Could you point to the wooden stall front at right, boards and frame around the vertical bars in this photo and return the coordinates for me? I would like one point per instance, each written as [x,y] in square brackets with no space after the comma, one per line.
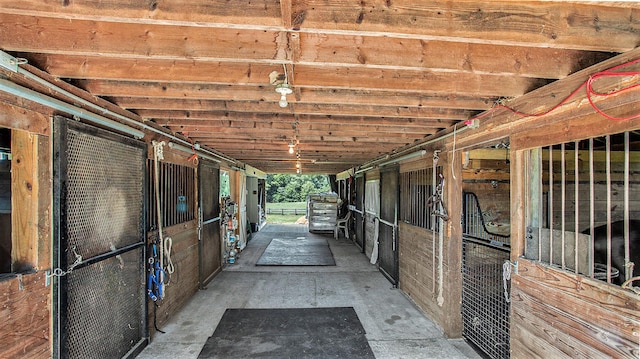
[558,313]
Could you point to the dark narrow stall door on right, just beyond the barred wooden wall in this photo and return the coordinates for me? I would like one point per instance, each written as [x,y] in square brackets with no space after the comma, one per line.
[387,238]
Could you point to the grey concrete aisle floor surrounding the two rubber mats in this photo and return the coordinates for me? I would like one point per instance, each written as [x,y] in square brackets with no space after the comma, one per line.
[395,327]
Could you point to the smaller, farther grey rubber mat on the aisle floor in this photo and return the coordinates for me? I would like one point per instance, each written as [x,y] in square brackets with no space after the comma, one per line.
[297,252]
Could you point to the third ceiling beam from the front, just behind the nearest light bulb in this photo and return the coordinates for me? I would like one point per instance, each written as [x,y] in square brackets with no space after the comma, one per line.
[92,67]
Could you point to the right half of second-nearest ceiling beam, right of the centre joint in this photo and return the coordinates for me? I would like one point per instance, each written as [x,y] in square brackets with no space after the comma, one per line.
[392,52]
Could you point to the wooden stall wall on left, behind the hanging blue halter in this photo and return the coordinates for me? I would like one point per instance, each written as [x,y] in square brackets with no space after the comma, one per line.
[183,283]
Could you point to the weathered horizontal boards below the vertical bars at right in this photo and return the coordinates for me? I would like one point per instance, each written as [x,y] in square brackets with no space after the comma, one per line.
[557,314]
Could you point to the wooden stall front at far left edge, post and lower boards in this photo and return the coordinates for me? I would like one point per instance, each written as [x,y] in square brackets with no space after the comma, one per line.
[25,329]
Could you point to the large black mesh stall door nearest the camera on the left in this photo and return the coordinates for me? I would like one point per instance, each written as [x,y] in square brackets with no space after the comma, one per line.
[100,301]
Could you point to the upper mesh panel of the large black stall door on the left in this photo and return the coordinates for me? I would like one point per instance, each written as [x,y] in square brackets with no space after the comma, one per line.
[104,194]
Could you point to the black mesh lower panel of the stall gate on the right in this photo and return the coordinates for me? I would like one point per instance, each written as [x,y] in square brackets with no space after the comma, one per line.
[485,310]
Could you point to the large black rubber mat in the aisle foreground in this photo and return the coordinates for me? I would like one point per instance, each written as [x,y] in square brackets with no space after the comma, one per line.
[288,333]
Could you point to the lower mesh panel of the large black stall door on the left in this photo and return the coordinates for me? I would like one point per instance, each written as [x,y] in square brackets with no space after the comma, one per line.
[104,313]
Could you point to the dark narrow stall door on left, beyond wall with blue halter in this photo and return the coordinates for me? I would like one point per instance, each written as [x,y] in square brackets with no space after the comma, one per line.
[209,219]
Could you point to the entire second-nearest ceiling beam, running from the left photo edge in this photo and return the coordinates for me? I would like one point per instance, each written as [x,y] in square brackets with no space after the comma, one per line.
[150,41]
